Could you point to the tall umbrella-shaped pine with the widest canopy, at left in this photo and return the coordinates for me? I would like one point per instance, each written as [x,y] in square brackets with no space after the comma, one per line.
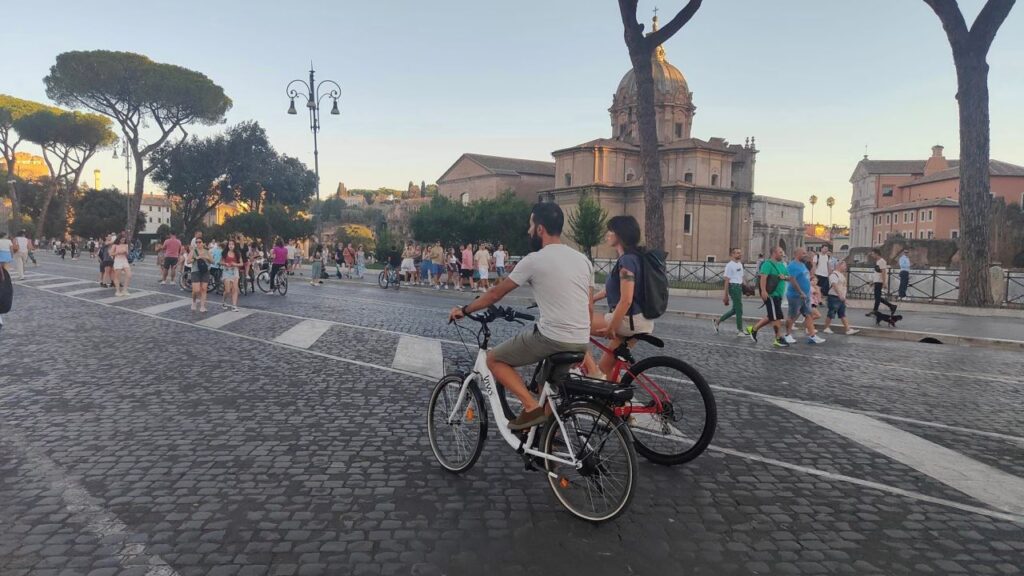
[139,95]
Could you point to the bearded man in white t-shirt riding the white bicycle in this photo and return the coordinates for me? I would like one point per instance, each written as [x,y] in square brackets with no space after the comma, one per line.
[561,278]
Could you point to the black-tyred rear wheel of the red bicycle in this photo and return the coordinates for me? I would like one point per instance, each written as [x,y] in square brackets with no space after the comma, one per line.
[685,427]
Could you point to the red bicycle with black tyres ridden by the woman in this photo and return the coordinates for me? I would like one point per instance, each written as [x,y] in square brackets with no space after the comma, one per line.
[673,415]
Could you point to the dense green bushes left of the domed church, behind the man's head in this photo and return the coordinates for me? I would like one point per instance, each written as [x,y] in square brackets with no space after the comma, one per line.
[502,221]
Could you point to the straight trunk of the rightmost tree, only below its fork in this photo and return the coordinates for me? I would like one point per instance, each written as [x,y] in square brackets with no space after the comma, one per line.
[975,202]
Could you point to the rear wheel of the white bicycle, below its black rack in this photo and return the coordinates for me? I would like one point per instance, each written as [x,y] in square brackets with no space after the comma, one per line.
[604,487]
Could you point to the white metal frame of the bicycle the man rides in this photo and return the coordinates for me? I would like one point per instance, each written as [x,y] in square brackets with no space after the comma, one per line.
[488,385]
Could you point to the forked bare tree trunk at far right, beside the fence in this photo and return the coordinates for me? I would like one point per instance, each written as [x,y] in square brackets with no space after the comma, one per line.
[970,49]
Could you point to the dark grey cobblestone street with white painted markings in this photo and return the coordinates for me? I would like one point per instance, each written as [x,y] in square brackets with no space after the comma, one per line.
[138,438]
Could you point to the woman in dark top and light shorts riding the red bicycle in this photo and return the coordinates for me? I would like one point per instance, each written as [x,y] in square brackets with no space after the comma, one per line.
[623,319]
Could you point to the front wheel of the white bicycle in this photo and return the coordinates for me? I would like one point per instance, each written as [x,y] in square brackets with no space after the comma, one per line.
[457,445]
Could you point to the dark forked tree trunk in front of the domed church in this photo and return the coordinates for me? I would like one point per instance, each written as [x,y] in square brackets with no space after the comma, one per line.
[642,49]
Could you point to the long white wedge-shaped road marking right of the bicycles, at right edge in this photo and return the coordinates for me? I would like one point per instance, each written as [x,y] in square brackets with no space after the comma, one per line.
[987,484]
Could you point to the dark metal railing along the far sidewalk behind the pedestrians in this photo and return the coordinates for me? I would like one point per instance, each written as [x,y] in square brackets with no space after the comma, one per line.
[933,285]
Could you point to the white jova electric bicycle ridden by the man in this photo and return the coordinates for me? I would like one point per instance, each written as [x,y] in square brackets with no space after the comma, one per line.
[584,449]
